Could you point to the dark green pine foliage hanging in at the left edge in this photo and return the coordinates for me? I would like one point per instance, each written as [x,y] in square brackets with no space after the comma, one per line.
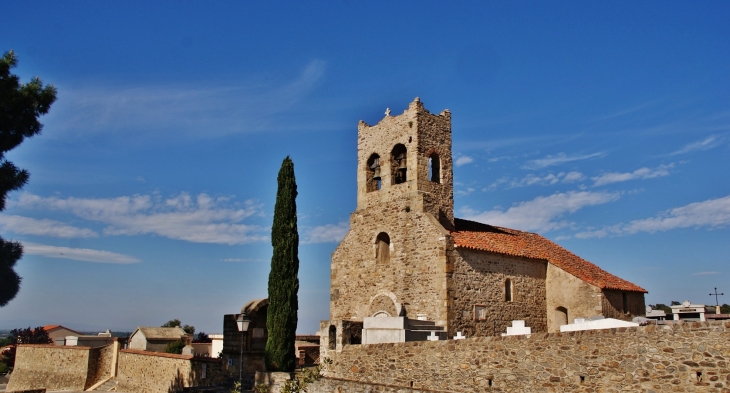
[20,106]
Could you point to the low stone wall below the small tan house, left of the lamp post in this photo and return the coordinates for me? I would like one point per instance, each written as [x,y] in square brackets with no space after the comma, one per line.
[154,372]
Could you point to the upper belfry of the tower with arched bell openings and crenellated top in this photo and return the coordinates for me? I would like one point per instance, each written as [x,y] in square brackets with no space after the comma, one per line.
[407,157]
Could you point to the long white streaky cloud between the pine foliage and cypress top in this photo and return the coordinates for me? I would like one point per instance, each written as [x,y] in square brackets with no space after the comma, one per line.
[200,219]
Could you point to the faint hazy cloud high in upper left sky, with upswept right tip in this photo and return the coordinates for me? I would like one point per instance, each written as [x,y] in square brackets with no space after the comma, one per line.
[200,110]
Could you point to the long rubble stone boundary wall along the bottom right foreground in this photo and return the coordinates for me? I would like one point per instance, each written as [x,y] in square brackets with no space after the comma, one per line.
[683,357]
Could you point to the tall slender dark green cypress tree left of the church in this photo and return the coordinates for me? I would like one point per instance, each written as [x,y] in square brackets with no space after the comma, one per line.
[281,318]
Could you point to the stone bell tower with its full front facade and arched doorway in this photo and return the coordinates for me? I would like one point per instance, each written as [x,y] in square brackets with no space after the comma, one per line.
[393,265]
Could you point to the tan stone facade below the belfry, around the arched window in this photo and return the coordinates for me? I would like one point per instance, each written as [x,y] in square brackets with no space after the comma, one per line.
[414,275]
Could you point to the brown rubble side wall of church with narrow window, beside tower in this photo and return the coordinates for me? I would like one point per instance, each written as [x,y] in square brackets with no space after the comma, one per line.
[479,280]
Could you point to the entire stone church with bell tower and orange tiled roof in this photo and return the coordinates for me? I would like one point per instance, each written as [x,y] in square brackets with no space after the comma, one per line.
[408,260]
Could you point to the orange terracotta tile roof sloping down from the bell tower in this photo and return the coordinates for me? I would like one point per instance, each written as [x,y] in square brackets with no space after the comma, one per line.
[483,237]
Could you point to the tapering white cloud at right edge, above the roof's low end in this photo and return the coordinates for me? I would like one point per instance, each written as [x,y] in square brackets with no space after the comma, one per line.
[712,213]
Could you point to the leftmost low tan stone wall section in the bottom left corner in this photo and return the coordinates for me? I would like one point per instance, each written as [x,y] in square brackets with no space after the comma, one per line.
[50,367]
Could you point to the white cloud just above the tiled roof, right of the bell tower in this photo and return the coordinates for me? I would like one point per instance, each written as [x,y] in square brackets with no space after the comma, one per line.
[542,213]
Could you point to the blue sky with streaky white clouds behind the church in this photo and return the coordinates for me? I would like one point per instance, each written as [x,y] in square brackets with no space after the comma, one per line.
[602,126]
